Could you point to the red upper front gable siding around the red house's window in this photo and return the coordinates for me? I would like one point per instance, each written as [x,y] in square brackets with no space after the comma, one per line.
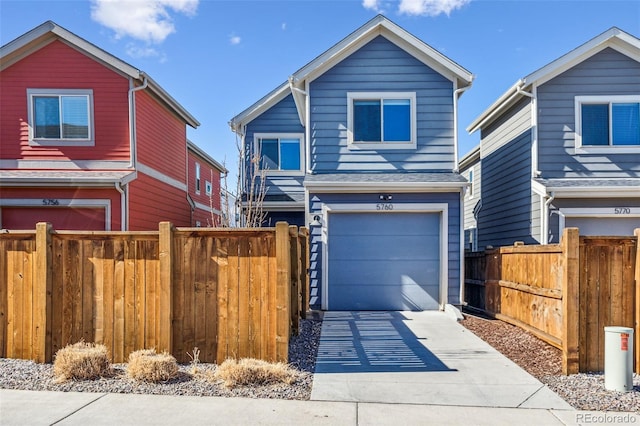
[58,66]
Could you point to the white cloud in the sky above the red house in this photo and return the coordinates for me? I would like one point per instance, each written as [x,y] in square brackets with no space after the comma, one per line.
[146,20]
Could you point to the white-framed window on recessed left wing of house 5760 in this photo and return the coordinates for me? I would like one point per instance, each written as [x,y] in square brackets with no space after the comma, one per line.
[280,153]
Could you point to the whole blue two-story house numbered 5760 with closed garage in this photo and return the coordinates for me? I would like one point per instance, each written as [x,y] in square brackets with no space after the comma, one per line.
[360,144]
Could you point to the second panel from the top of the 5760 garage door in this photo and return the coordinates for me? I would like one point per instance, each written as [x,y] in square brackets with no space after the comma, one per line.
[383,247]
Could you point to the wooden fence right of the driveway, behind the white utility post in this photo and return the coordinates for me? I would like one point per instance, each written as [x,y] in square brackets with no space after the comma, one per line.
[563,293]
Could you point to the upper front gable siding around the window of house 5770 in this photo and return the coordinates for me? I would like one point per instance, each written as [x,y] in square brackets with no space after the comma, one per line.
[606,73]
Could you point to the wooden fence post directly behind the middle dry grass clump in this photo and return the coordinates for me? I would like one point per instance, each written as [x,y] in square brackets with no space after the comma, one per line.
[165,257]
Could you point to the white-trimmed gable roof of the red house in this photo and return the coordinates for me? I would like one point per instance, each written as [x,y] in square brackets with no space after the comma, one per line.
[49,31]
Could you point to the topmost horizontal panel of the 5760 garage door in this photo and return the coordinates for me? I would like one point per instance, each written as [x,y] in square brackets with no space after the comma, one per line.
[370,224]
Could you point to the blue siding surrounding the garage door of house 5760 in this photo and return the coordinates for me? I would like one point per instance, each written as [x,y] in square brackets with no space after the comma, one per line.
[452,199]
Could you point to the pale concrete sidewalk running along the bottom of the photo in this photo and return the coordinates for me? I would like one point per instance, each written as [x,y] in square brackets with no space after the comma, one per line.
[81,409]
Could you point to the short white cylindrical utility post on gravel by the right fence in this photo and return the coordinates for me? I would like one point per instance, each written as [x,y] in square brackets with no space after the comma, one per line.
[618,358]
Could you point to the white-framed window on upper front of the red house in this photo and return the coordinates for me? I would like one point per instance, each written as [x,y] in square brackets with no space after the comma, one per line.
[60,117]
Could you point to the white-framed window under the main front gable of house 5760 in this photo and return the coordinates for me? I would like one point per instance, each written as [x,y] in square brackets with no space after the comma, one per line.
[381,120]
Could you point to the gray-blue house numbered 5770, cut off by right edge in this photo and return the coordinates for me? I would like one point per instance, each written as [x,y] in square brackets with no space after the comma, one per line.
[561,148]
